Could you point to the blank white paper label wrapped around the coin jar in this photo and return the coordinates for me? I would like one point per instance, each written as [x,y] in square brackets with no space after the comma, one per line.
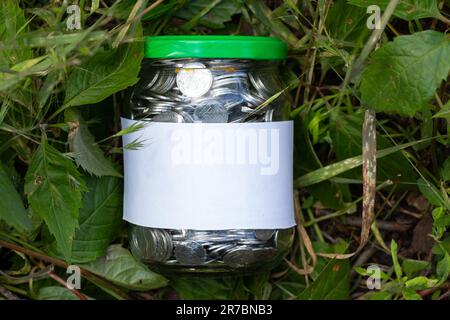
[209,176]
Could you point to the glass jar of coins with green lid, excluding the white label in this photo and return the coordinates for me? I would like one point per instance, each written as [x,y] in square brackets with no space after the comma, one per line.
[210,79]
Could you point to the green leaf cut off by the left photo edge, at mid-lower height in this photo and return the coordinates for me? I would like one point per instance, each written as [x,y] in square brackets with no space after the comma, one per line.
[12,210]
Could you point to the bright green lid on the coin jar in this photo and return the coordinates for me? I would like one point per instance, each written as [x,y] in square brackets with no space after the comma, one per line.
[226,47]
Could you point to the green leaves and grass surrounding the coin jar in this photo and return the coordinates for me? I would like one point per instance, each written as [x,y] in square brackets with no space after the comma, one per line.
[363,100]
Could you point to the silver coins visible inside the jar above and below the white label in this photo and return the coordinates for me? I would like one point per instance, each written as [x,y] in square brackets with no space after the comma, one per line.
[207,91]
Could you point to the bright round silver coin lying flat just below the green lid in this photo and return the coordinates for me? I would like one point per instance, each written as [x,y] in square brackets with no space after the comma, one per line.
[194,79]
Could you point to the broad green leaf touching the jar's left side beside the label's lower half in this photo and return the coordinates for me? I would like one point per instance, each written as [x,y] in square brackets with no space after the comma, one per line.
[100,219]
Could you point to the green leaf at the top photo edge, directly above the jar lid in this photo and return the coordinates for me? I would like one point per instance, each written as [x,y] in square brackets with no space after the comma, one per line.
[212,14]
